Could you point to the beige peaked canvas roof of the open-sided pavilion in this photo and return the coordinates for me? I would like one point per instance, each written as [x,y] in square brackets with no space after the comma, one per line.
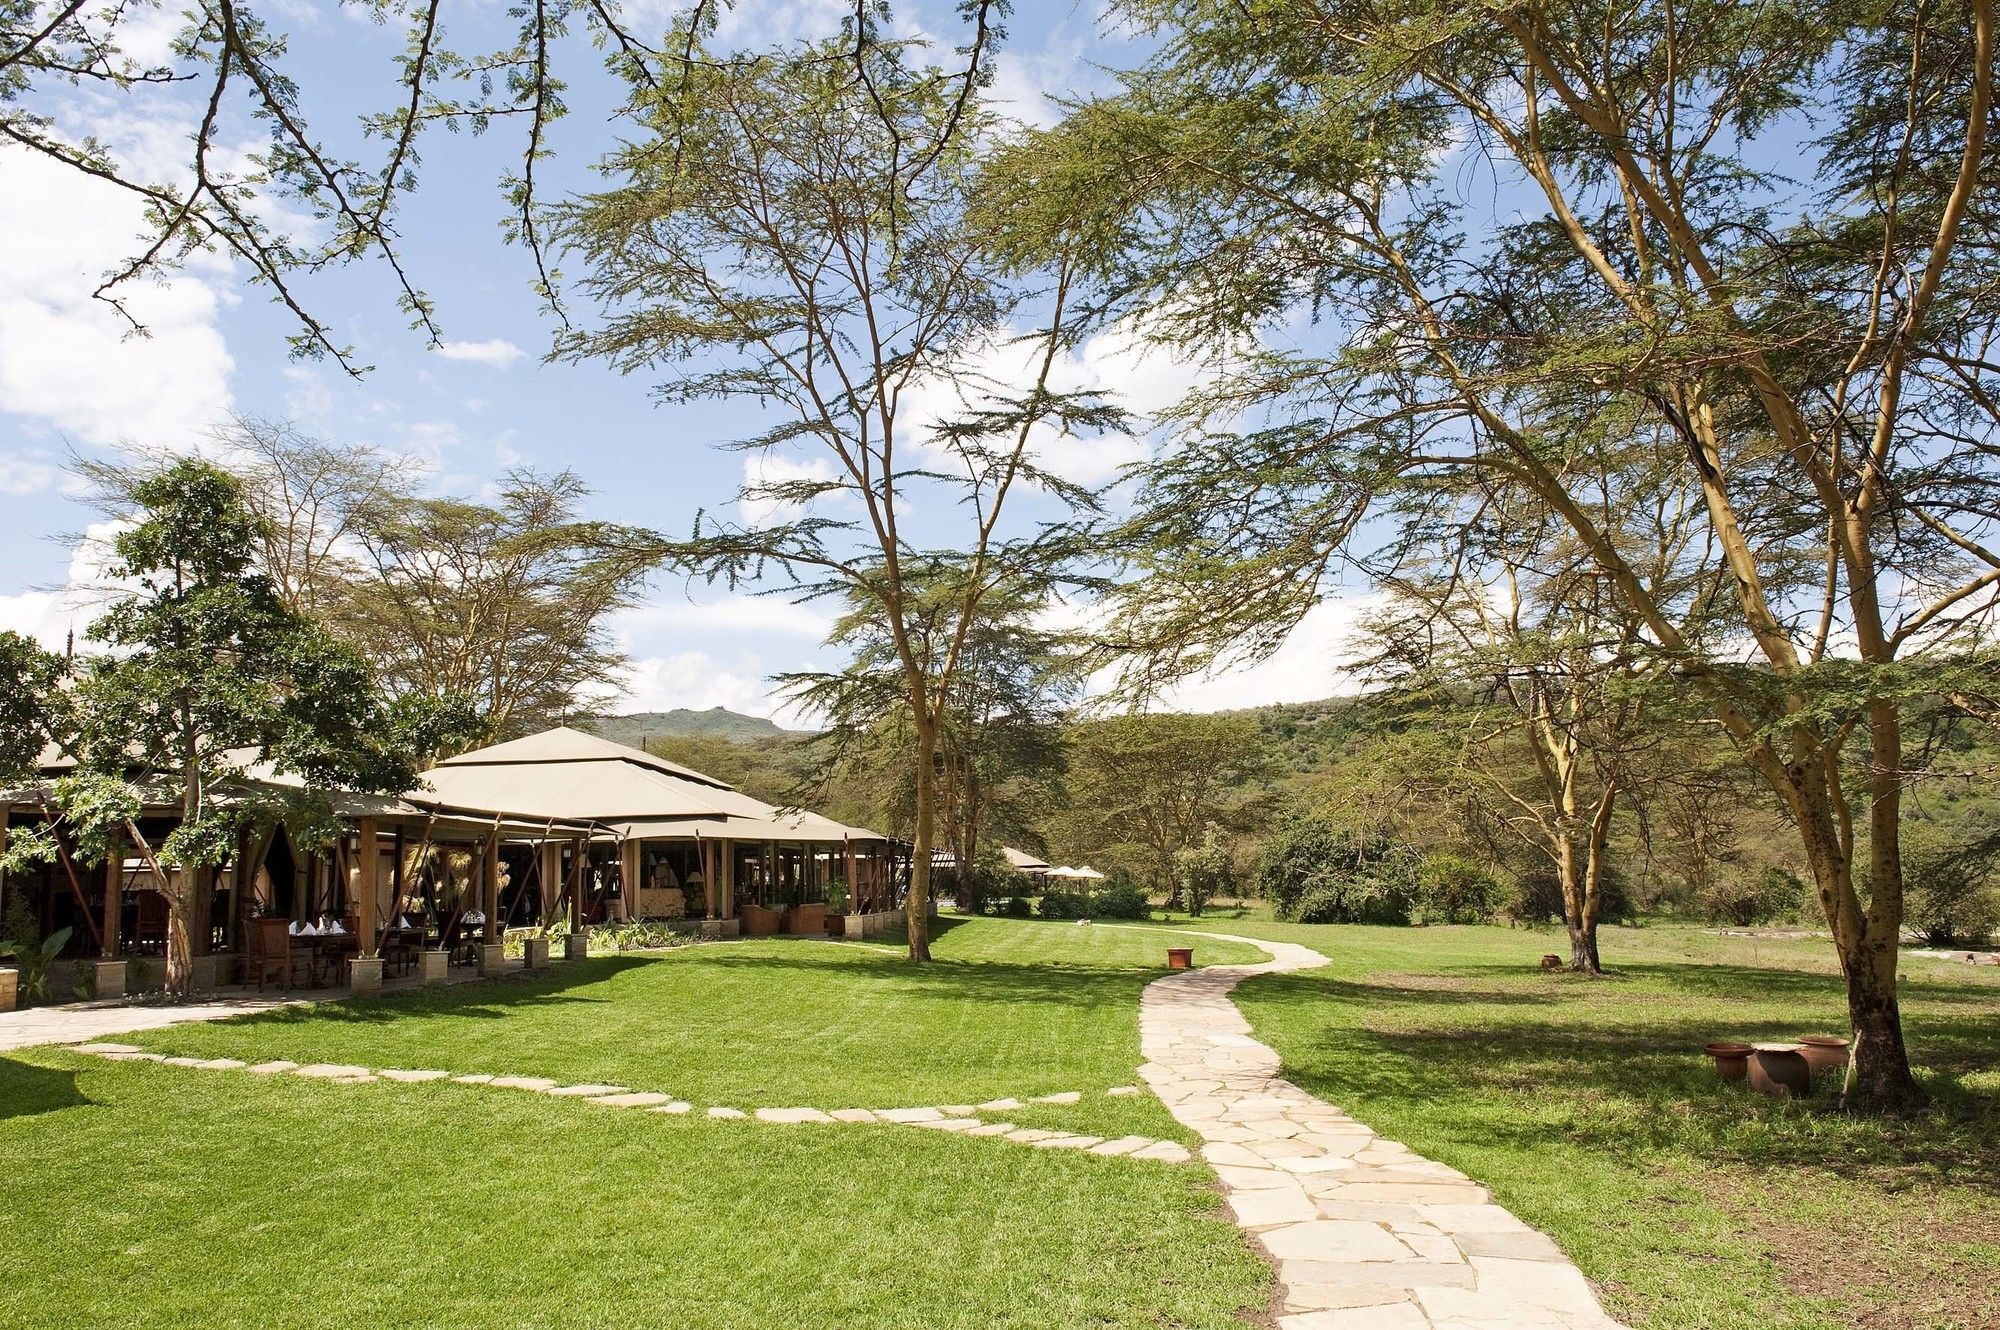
[579,777]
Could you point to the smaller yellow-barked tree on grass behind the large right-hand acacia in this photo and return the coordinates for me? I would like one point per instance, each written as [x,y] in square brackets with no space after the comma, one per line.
[1497,617]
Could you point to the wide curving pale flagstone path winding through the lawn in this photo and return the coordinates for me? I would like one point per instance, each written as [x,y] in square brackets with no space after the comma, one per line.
[1365,1233]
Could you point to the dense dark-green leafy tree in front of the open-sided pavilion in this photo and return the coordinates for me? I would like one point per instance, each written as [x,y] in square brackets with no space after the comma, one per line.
[207,673]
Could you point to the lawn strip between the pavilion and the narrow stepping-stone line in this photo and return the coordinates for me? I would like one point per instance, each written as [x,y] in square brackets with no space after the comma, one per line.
[1009,1009]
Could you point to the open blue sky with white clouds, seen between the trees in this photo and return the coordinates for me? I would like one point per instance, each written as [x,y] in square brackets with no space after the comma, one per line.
[485,401]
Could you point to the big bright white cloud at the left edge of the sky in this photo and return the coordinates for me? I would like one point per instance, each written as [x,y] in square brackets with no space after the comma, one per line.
[71,363]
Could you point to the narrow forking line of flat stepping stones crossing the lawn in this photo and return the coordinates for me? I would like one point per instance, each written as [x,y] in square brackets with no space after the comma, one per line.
[941,1119]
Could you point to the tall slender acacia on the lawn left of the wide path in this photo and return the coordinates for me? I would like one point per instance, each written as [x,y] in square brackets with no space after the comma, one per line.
[795,233]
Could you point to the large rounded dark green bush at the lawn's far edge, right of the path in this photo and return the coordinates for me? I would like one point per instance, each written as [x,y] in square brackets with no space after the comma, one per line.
[1321,875]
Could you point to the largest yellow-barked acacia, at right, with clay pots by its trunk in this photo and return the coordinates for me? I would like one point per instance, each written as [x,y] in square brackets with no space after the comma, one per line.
[1767,231]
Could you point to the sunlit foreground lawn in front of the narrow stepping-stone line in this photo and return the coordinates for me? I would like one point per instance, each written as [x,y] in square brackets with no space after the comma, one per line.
[161,1199]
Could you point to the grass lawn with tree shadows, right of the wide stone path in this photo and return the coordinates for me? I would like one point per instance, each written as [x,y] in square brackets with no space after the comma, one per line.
[1591,1111]
